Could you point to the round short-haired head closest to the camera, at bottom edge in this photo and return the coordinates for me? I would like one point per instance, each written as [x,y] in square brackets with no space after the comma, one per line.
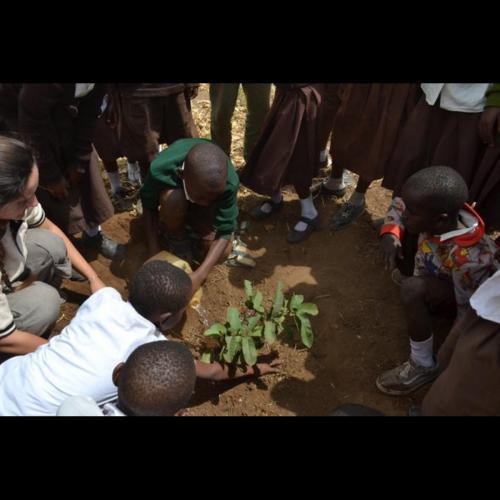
[157,380]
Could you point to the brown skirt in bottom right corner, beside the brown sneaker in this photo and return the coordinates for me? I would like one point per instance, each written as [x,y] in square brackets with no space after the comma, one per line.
[469,382]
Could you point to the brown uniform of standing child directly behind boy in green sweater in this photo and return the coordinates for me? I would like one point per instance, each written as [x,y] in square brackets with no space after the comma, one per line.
[149,114]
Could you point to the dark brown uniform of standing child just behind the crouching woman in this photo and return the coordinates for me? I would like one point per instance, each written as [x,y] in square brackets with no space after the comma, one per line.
[60,129]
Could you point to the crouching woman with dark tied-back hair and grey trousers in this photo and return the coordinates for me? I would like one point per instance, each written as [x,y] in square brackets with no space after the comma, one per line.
[33,251]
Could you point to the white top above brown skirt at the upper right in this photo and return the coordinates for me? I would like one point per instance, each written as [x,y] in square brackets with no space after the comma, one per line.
[463,97]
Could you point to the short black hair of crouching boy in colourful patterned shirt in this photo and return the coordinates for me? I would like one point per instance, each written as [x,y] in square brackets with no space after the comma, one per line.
[440,189]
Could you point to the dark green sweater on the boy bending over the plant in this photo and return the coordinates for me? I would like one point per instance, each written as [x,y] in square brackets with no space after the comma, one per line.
[163,175]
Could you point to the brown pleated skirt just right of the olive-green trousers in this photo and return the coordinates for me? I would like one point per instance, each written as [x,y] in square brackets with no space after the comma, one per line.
[288,149]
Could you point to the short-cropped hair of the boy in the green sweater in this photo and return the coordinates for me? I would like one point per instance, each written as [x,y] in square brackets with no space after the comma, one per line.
[208,163]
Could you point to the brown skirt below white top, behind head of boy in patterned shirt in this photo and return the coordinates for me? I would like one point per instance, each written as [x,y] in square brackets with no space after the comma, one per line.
[433,136]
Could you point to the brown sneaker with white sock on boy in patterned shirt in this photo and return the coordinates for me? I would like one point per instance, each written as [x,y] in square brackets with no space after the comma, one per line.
[406,378]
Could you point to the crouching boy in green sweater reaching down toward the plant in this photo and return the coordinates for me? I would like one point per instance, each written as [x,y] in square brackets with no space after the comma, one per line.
[192,182]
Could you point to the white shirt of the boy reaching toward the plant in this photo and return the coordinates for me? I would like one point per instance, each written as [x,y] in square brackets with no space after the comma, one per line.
[77,362]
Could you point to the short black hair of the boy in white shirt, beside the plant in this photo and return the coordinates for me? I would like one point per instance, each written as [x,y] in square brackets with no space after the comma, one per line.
[159,287]
